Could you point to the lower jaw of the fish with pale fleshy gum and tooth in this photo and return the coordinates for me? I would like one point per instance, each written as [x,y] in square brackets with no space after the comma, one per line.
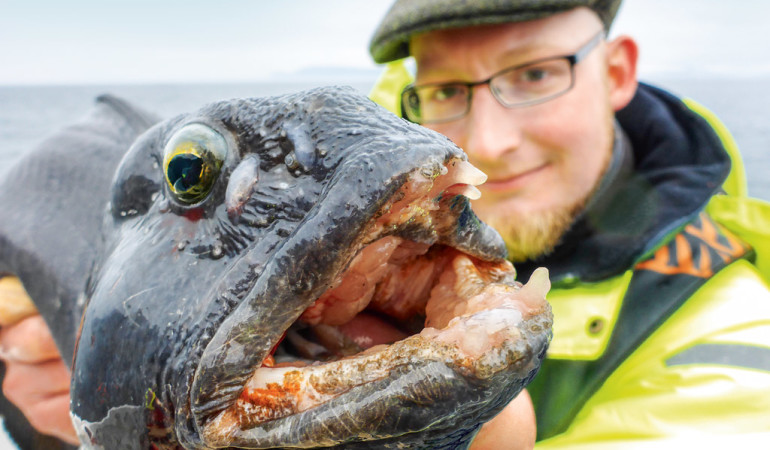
[440,379]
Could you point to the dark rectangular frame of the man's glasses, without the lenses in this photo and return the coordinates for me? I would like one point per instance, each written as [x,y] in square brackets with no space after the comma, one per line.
[579,55]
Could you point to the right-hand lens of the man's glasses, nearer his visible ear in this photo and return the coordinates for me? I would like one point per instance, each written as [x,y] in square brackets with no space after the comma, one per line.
[534,82]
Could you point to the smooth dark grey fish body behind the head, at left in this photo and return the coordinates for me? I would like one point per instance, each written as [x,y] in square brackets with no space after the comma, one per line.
[53,203]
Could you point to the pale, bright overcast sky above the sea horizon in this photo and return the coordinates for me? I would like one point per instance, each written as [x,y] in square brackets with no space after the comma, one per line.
[191,41]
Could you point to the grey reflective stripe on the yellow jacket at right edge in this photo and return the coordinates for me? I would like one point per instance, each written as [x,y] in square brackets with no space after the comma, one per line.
[745,356]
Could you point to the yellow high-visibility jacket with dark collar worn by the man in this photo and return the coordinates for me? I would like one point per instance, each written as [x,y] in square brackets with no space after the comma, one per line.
[673,348]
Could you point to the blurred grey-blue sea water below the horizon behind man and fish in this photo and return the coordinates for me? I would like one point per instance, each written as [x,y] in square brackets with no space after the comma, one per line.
[29,113]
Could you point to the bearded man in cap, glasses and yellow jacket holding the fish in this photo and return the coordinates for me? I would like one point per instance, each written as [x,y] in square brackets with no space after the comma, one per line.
[660,305]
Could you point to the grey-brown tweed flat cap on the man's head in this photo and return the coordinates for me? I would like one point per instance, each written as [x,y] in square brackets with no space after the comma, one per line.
[409,17]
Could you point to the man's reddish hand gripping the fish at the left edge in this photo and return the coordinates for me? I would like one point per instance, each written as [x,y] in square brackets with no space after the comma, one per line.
[36,379]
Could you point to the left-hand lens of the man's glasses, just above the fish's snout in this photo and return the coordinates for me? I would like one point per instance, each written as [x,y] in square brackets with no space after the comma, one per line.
[436,103]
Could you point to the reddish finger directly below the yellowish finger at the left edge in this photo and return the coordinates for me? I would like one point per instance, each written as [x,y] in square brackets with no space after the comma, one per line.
[28,341]
